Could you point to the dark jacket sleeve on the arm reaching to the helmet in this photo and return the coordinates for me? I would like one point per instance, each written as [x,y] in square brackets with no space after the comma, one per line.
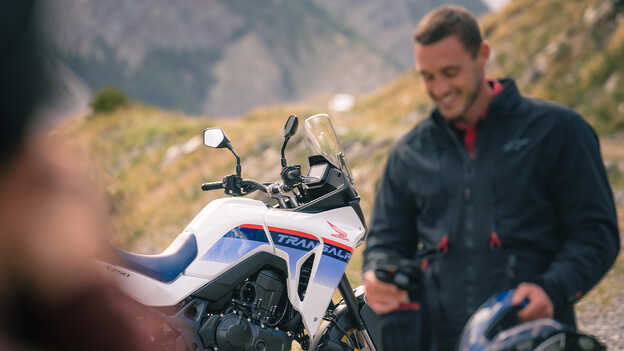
[584,204]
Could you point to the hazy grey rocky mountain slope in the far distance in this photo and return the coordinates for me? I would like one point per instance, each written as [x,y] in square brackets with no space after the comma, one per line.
[222,57]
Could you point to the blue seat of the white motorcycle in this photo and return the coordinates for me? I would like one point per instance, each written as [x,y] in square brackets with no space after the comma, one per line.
[163,267]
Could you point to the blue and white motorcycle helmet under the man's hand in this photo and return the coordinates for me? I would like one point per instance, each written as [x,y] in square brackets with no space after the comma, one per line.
[495,327]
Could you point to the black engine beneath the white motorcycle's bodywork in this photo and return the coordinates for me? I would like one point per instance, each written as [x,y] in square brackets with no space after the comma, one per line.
[252,323]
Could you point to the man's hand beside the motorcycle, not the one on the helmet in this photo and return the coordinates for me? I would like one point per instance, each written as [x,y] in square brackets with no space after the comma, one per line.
[382,297]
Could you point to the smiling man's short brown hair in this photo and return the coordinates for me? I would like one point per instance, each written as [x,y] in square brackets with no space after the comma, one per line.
[446,21]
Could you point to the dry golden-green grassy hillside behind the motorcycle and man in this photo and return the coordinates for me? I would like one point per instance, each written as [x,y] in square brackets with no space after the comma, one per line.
[150,163]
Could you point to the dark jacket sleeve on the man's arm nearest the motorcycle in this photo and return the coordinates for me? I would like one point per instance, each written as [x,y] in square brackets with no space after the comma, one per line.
[392,228]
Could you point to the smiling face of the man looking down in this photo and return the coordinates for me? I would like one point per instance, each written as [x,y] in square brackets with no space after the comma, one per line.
[452,76]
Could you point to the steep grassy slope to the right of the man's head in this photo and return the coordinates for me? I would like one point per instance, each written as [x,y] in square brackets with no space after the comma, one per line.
[569,51]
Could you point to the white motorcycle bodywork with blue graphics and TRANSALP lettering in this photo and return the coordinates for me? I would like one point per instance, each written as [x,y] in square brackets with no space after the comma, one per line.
[230,230]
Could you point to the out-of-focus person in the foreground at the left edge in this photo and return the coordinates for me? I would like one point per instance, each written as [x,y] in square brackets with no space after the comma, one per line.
[51,296]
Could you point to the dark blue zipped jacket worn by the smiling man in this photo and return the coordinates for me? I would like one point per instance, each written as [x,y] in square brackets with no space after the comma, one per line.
[533,205]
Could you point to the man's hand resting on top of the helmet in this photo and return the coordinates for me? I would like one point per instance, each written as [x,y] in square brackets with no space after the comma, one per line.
[539,305]
